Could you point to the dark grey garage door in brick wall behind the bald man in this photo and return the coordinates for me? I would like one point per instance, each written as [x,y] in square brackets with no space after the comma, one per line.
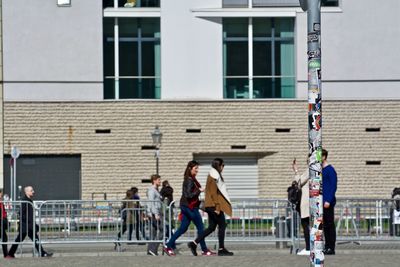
[53,177]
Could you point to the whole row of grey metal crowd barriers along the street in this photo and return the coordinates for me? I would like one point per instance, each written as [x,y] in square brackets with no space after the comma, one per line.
[261,221]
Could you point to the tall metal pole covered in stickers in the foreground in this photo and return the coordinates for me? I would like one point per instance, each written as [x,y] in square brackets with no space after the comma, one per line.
[315,132]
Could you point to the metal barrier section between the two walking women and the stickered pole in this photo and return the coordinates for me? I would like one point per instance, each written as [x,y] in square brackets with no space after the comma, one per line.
[253,220]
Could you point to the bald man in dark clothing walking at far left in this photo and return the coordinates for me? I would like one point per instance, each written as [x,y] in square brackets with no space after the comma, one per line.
[27,223]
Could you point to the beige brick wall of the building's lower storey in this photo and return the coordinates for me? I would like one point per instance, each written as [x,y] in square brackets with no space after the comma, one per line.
[113,162]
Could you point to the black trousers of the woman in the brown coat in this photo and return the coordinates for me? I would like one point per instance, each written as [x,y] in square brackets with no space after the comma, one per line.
[214,220]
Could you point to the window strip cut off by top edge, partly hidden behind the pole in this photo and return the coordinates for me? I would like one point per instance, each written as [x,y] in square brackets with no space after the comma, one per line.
[272,3]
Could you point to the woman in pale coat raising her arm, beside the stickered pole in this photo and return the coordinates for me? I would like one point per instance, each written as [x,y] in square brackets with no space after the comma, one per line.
[303,183]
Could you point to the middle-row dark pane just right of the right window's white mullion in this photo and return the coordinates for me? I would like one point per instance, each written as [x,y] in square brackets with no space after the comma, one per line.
[262,58]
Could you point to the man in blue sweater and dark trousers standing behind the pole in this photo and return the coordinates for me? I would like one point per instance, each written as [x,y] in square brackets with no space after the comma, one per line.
[329,186]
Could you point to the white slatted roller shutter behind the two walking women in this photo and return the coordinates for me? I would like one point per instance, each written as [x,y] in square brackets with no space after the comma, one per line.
[240,174]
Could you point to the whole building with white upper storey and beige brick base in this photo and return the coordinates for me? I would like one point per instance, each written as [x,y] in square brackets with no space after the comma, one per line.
[153,56]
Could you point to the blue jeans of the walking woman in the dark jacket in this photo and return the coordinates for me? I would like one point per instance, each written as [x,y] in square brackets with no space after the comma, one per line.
[188,215]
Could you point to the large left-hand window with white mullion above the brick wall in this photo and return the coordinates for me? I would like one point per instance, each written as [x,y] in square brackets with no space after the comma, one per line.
[132,58]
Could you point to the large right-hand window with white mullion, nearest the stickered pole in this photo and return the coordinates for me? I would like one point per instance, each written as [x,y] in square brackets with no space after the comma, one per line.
[259,58]
